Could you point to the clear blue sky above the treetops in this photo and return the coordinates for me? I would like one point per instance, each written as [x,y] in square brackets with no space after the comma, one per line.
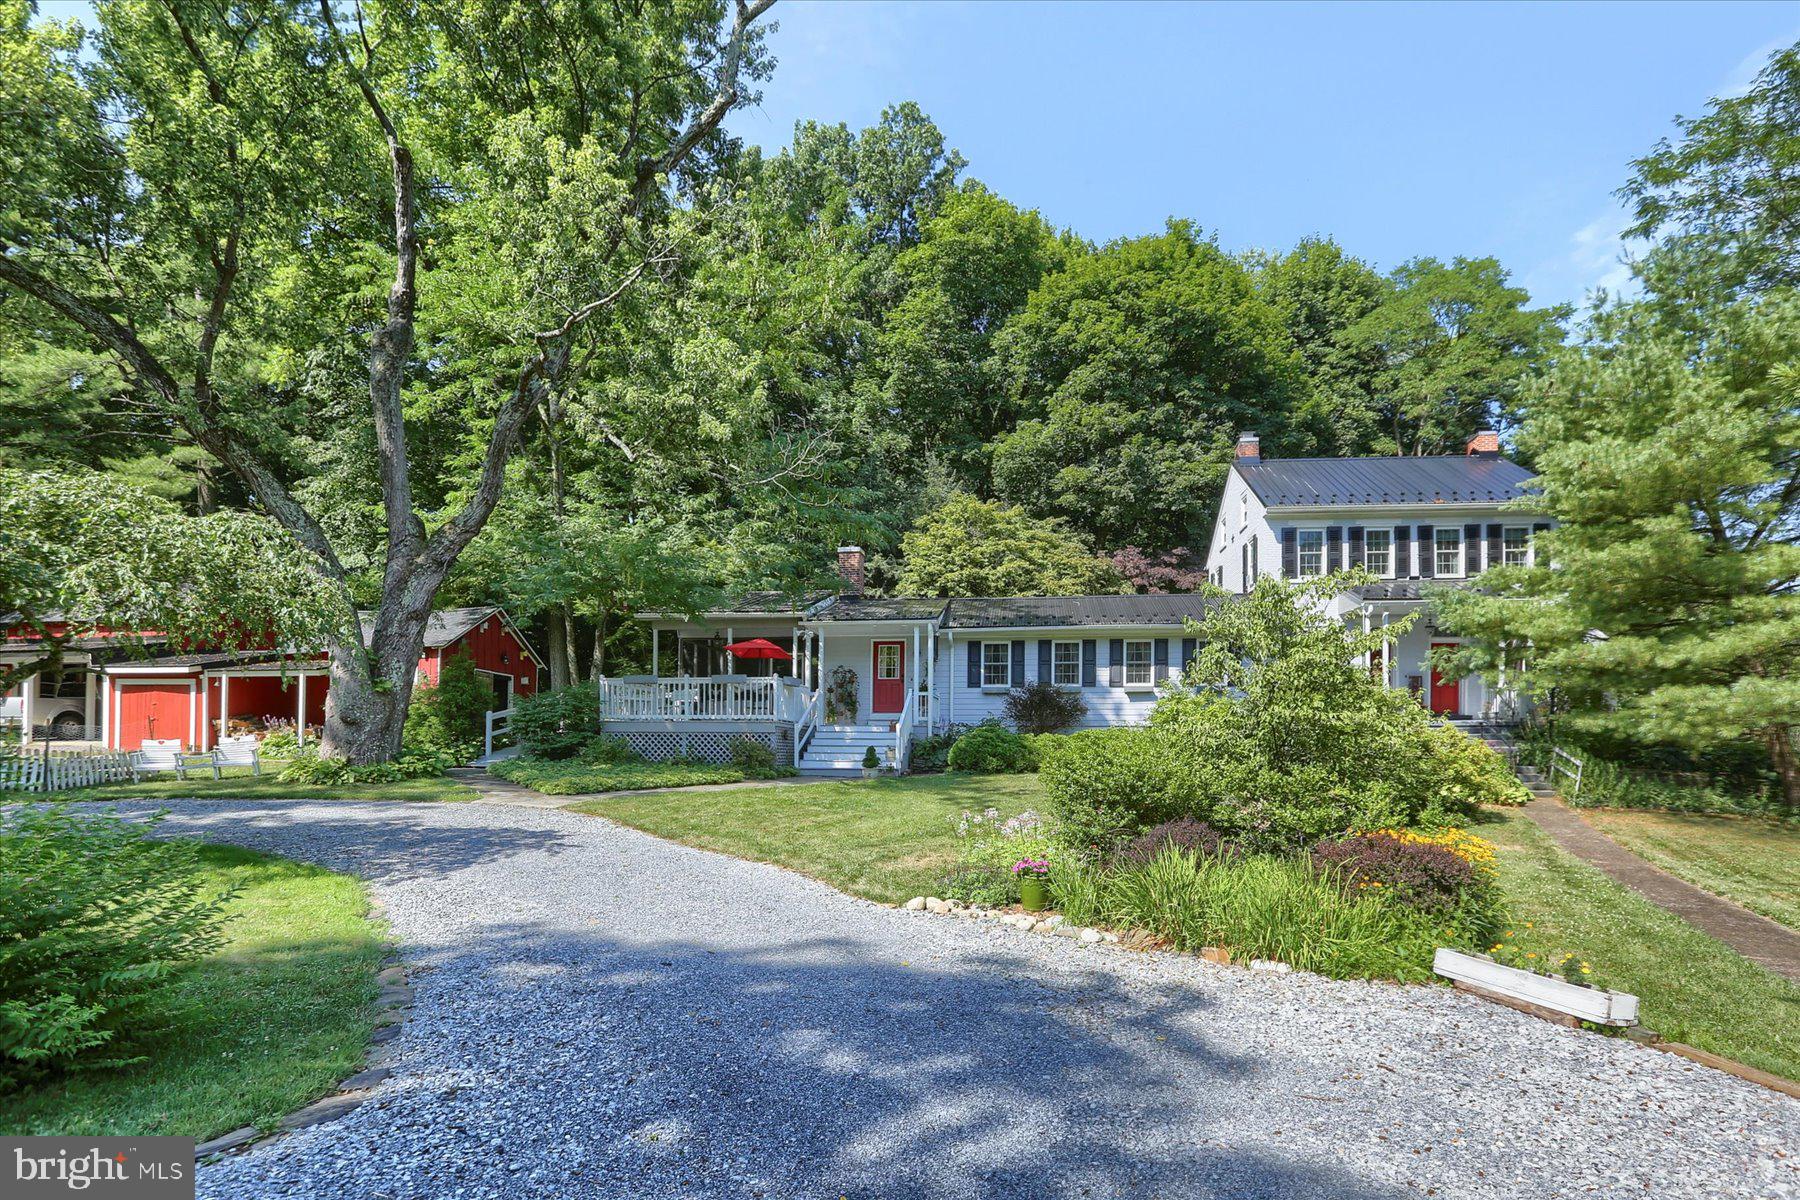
[1399,130]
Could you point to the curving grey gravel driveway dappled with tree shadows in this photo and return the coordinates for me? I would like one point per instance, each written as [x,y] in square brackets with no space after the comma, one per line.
[602,1014]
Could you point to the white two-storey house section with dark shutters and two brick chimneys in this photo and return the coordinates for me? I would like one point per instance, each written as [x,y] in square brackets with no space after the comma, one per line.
[1407,521]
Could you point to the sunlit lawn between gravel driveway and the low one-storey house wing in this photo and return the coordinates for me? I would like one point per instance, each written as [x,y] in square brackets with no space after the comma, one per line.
[881,839]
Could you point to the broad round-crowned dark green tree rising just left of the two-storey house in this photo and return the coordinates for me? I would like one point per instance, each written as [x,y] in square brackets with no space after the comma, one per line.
[1137,368]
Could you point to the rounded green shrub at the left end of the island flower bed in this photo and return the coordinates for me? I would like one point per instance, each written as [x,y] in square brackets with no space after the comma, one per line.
[1101,785]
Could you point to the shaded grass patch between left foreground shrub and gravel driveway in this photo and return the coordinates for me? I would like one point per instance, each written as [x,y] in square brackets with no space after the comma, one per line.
[267,1025]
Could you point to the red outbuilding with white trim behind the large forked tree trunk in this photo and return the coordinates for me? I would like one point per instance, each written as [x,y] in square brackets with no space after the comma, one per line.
[120,690]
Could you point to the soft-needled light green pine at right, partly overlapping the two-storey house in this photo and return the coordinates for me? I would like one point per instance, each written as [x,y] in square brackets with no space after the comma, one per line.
[1666,607]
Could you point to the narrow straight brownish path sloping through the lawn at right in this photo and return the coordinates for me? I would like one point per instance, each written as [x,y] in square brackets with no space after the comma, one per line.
[1750,935]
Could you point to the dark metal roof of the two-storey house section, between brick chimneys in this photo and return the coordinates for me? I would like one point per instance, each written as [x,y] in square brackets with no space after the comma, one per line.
[1387,479]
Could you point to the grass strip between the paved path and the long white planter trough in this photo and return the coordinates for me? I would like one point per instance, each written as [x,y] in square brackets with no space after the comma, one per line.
[1691,987]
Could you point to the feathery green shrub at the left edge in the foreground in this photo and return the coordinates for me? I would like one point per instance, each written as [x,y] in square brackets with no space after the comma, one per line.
[93,917]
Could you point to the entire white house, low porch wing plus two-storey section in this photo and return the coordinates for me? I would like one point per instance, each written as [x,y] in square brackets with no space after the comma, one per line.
[836,674]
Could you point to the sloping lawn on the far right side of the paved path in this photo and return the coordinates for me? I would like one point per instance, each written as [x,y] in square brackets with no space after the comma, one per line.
[1754,863]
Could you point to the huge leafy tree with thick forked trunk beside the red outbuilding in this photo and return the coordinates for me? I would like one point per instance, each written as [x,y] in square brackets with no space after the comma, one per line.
[213,163]
